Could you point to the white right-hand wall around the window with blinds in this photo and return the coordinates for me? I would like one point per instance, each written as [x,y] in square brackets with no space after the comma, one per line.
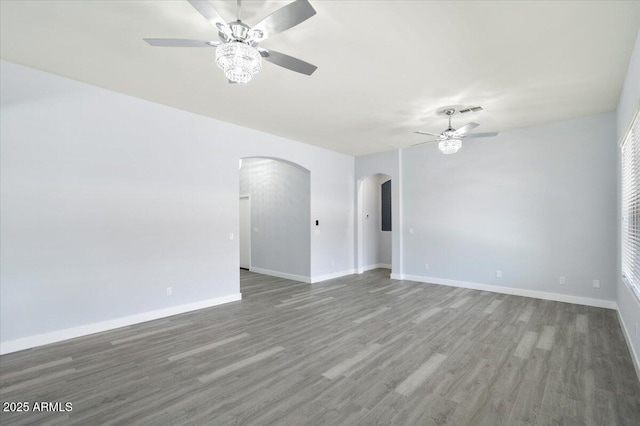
[628,304]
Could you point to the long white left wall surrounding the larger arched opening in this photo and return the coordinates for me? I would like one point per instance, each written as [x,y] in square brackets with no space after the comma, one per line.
[107,200]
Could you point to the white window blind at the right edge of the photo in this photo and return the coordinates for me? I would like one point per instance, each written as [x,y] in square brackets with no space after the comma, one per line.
[631,206]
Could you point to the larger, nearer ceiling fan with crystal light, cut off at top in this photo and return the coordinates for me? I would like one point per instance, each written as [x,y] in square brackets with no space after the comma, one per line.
[237,52]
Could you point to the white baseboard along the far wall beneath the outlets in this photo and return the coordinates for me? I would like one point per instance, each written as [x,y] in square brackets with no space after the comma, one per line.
[598,303]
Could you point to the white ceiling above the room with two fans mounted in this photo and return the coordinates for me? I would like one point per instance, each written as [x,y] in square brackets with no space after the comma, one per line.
[384,67]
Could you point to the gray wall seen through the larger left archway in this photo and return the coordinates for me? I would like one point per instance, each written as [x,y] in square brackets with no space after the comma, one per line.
[280,212]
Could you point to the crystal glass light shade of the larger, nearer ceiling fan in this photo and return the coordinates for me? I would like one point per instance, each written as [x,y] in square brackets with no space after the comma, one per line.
[239,61]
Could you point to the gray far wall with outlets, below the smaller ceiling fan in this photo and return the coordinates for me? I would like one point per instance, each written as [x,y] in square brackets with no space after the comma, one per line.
[536,203]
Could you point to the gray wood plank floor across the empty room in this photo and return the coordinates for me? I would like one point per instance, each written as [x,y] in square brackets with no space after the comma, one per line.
[362,349]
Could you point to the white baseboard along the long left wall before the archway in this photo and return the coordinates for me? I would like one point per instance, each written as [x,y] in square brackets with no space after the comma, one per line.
[97,327]
